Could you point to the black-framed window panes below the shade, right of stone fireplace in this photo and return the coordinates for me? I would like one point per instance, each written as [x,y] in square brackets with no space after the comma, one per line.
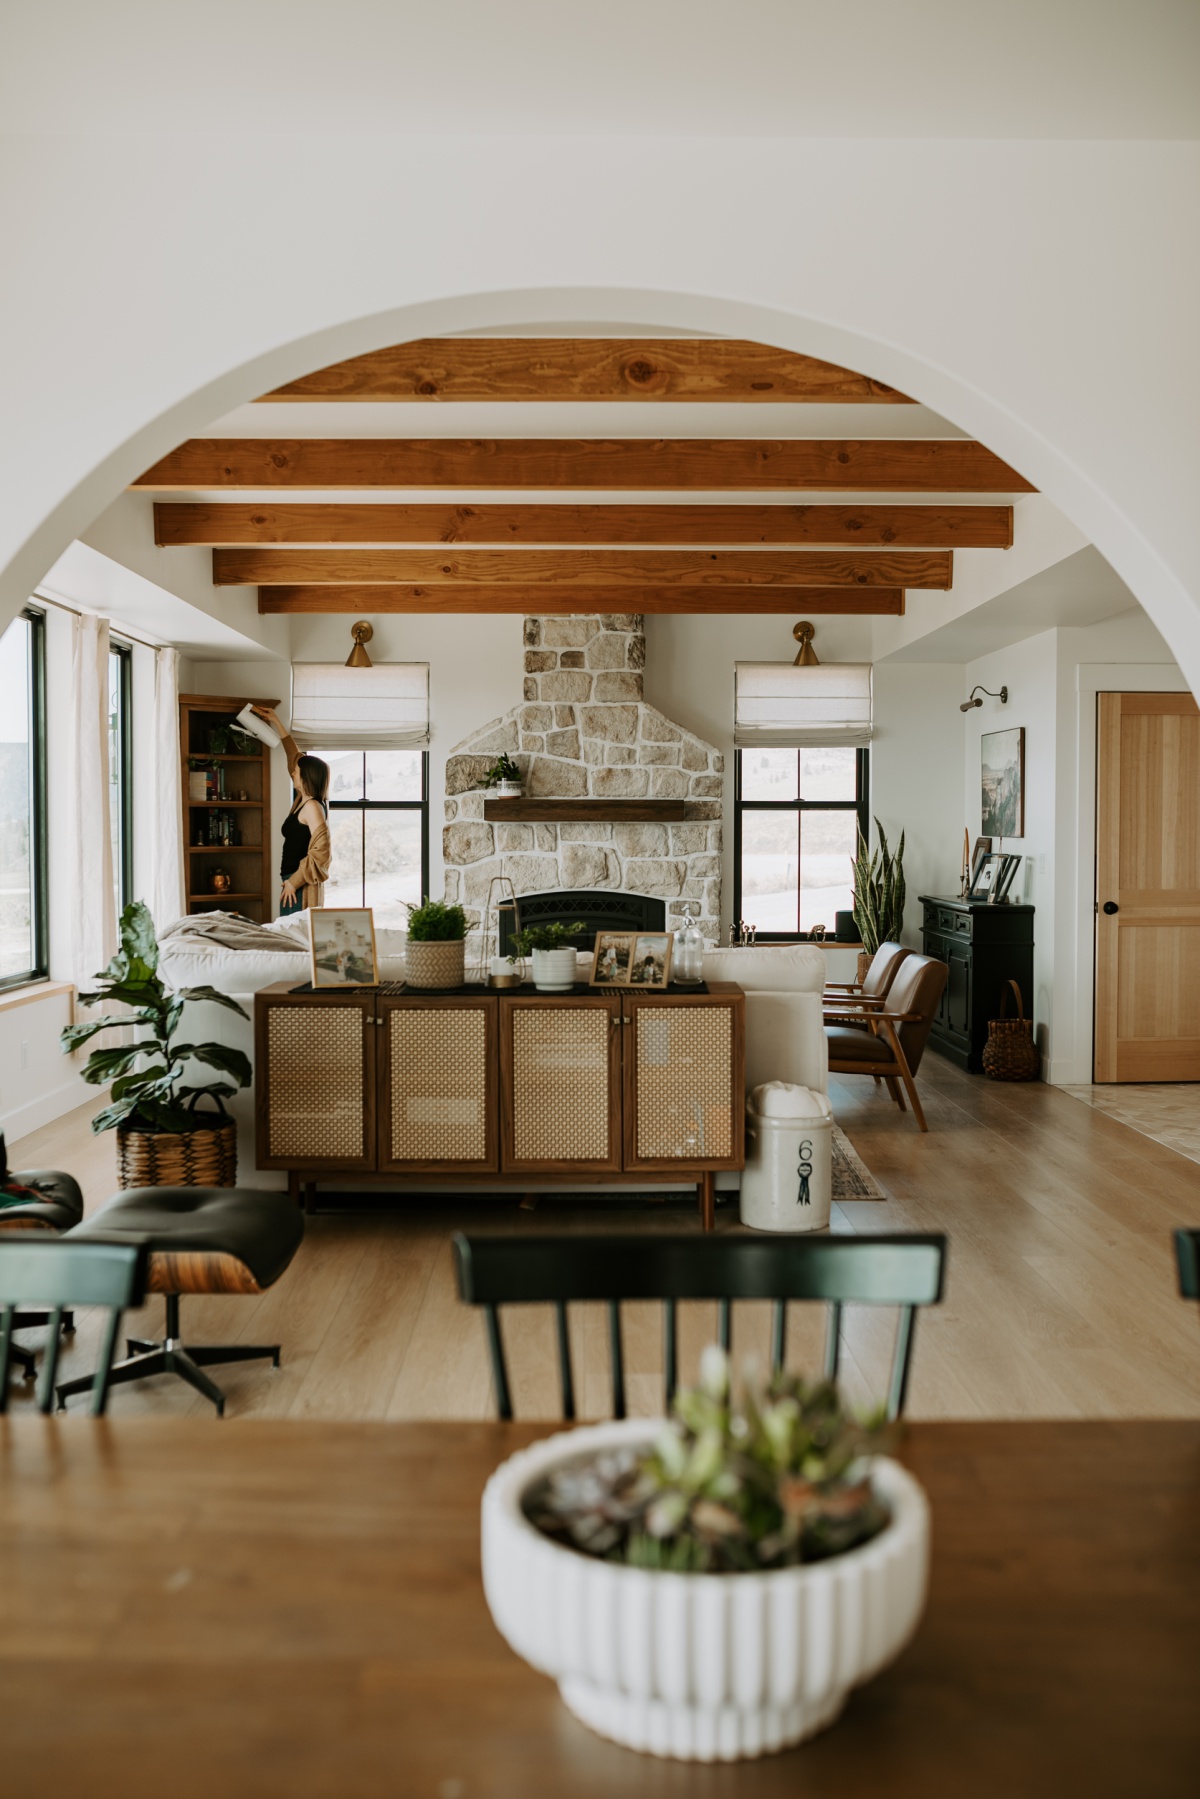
[798,816]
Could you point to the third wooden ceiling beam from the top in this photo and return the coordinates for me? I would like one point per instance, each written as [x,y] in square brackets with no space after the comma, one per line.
[888,526]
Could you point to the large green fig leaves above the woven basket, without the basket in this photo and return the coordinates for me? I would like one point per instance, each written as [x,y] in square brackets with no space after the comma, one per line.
[148,1087]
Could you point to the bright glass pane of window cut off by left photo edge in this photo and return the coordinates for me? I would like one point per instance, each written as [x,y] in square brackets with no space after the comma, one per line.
[17,915]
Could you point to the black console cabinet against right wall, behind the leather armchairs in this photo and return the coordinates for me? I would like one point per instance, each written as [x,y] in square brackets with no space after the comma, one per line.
[985,947]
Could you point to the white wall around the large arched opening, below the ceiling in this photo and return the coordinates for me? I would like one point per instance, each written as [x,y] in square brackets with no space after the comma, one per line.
[1068,258]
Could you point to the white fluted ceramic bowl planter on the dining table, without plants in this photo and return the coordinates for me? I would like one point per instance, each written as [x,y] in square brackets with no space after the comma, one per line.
[699,1667]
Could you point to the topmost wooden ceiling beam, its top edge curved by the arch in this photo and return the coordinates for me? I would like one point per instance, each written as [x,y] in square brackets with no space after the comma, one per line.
[451,370]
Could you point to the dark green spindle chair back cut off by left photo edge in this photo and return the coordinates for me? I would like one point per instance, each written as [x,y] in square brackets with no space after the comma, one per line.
[46,1273]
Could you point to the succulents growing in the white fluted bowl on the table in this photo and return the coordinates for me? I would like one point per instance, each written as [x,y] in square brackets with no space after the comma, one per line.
[769,1481]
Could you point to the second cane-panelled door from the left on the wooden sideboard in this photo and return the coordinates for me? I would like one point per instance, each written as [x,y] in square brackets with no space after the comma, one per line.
[438,1086]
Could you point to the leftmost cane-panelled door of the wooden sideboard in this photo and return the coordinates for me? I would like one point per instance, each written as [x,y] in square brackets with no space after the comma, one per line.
[316,1062]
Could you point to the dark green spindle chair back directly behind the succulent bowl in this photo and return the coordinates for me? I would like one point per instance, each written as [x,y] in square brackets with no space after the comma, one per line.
[879,1271]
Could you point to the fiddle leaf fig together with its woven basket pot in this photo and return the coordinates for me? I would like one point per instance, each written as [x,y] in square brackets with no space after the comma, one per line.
[161,1138]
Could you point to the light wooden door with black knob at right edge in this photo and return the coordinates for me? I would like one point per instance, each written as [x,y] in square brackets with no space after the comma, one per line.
[1149,888]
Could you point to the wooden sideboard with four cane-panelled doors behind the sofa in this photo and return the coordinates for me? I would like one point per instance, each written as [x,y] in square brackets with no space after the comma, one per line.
[595,1086]
